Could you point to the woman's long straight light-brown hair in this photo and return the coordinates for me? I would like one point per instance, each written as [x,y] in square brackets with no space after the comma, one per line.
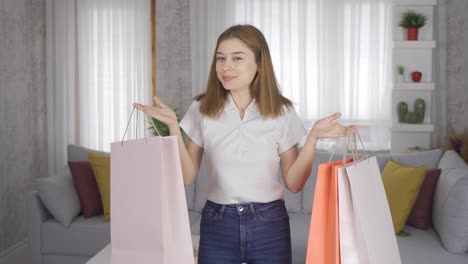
[263,88]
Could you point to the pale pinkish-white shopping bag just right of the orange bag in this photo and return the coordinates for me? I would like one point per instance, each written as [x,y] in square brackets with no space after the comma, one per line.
[366,230]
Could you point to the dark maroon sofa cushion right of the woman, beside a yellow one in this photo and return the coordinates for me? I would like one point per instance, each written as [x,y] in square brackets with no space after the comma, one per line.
[421,214]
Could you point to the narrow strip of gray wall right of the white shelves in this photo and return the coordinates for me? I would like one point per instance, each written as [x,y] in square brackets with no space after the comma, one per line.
[457,65]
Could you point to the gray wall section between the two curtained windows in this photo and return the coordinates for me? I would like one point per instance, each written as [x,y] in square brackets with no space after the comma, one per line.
[173,53]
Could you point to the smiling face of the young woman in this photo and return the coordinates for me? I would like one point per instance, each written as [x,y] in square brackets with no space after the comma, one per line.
[235,65]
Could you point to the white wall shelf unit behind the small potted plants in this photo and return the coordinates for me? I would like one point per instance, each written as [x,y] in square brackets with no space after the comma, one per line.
[413,56]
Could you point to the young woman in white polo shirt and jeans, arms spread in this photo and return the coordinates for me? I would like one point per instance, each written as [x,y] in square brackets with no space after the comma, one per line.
[247,130]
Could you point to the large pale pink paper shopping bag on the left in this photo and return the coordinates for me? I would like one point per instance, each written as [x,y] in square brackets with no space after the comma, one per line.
[149,217]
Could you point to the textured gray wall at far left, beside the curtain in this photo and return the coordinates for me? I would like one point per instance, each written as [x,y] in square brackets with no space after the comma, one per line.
[23,149]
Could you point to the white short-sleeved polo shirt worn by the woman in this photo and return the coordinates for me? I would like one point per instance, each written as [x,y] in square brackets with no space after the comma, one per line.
[242,156]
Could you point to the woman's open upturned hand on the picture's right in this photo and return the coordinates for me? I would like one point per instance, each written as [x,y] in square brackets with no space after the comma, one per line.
[326,128]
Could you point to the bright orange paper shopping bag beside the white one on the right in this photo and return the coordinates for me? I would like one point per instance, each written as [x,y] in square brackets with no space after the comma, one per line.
[324,239]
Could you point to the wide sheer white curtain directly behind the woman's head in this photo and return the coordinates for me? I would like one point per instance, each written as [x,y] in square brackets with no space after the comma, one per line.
[328,55]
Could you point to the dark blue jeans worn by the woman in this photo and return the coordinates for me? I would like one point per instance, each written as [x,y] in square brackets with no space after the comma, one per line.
[254,233]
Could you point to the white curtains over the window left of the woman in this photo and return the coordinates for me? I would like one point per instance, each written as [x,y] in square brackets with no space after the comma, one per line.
[98,64]
